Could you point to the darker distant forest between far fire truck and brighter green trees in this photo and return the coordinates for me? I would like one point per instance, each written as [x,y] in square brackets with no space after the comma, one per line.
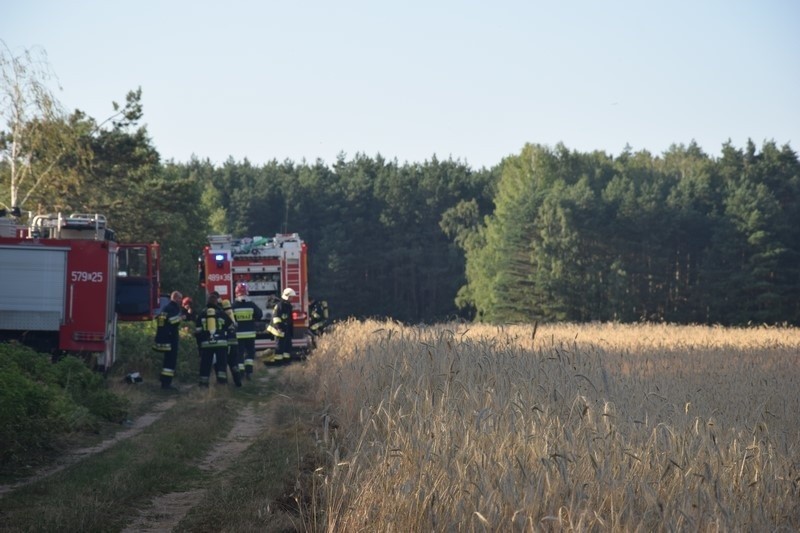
[376,229]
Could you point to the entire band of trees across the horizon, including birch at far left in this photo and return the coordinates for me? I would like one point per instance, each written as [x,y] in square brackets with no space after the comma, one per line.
[549,234]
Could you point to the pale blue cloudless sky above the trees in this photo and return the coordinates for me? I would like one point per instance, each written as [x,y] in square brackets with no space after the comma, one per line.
[468,80]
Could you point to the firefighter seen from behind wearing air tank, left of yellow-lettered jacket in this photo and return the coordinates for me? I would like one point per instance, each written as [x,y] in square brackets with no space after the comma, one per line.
[212,326]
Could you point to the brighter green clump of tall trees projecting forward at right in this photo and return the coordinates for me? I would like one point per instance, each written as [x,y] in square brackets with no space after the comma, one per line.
[681,238]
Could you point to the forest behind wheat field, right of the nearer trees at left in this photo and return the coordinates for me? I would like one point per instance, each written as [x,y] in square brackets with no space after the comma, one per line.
[549,234]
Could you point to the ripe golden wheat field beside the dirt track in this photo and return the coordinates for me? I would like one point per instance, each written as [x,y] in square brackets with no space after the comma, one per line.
[599,427]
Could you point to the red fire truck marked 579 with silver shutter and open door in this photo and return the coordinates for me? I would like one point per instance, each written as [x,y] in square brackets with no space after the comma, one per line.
[65,282]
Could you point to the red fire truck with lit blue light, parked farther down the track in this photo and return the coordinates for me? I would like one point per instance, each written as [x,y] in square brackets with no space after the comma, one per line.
[267,265]
